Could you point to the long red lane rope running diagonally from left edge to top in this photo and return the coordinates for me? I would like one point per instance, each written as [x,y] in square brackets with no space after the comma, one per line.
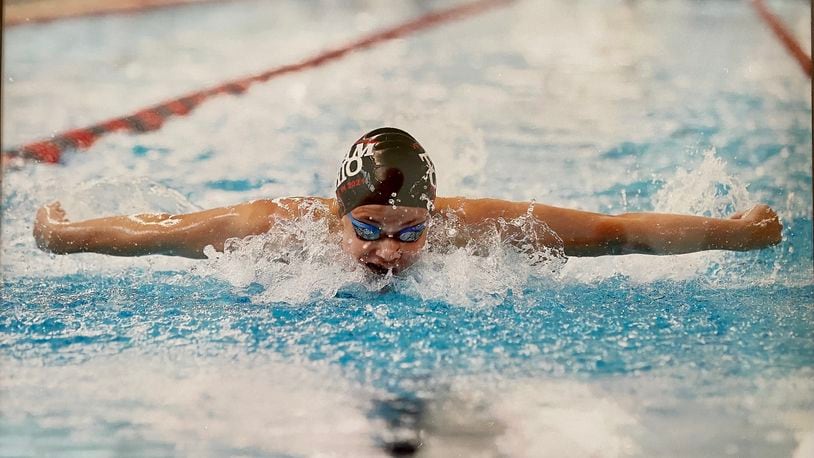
[152,118]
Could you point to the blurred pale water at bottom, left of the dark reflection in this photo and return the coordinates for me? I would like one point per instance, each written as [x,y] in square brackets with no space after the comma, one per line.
[197,405]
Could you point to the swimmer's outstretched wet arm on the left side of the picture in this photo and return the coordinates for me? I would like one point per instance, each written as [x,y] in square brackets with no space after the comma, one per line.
[136,235]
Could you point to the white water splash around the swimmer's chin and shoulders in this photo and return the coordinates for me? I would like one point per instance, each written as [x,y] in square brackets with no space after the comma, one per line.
[302,261]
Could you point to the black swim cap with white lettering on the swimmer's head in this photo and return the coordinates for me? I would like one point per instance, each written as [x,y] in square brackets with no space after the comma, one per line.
[386,166]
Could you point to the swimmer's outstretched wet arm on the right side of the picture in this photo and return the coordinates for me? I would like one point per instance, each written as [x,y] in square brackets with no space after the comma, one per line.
[595,234]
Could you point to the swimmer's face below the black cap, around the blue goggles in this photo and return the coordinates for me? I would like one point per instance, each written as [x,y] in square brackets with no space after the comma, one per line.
[387,252]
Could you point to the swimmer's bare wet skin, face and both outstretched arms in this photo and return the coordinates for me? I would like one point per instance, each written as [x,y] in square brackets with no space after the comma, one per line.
[577,232]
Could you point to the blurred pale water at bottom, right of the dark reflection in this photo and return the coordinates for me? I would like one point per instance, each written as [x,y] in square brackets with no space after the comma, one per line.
[489,415]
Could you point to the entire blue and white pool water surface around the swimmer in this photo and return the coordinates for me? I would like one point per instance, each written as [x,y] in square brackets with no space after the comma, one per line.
[608,106]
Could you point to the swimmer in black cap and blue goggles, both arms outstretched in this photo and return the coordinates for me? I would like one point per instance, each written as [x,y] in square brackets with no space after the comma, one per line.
[385,196]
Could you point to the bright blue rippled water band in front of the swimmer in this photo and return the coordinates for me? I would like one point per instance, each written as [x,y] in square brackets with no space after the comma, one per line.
[585,330]
